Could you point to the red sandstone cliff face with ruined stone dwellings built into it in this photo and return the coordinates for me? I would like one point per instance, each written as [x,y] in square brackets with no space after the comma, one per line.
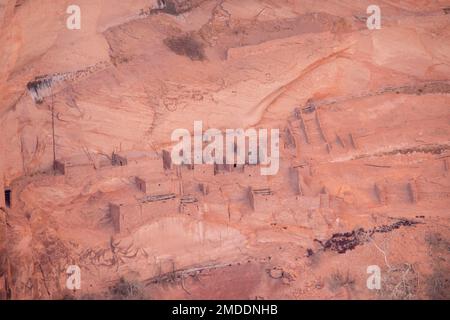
[363,180]
